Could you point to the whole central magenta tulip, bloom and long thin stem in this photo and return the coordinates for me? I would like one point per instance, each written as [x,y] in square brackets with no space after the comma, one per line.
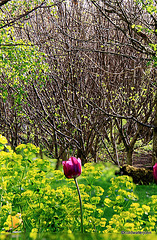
[72,169]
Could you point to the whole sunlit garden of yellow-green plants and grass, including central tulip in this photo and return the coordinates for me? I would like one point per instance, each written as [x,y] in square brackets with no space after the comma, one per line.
[36,199]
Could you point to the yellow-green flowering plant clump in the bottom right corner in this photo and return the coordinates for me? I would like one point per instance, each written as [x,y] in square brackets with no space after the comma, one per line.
[129,214]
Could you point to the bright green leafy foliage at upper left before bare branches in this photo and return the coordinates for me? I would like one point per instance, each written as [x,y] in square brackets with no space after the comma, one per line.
[21,64]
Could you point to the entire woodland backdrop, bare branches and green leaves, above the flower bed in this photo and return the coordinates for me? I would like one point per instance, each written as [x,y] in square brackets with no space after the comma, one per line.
[79,77]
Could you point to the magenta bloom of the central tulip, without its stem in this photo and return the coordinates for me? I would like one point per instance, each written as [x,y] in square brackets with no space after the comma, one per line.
[72,168]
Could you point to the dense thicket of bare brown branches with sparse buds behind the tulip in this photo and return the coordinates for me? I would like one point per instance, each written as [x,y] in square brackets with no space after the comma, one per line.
[98,86]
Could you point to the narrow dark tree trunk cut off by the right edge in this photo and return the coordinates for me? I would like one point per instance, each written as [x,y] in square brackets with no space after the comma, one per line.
[154,155]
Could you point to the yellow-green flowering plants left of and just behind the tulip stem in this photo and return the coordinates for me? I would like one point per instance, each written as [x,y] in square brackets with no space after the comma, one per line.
[28,186]
